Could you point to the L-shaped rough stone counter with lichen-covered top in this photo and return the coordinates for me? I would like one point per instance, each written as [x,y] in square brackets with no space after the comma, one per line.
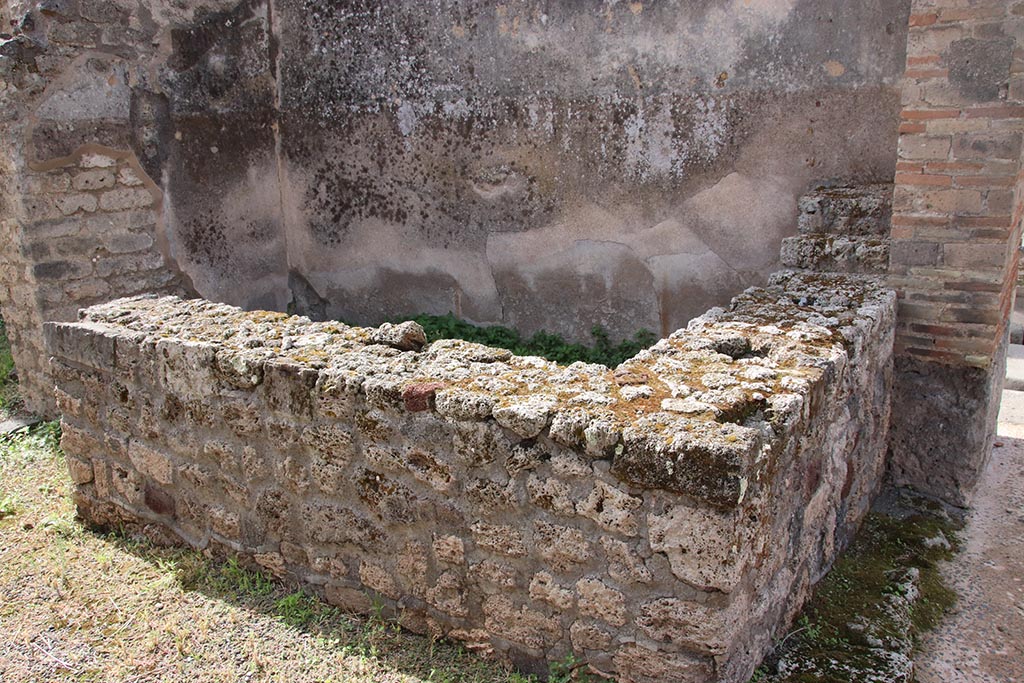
[662,521]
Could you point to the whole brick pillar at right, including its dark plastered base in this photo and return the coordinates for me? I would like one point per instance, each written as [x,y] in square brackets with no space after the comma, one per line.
[956,238]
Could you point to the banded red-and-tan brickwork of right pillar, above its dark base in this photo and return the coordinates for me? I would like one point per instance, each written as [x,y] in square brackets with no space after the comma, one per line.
[957,203]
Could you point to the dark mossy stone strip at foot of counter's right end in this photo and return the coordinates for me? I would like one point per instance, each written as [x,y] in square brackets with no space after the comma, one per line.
[867,615]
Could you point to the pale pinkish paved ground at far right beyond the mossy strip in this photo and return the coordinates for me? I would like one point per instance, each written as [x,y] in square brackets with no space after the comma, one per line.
[984,641]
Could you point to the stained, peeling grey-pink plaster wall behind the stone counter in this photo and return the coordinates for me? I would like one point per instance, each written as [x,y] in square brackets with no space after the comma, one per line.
[537,164]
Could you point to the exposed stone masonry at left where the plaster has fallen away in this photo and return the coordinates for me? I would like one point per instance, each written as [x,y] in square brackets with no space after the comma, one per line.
[83,230]
